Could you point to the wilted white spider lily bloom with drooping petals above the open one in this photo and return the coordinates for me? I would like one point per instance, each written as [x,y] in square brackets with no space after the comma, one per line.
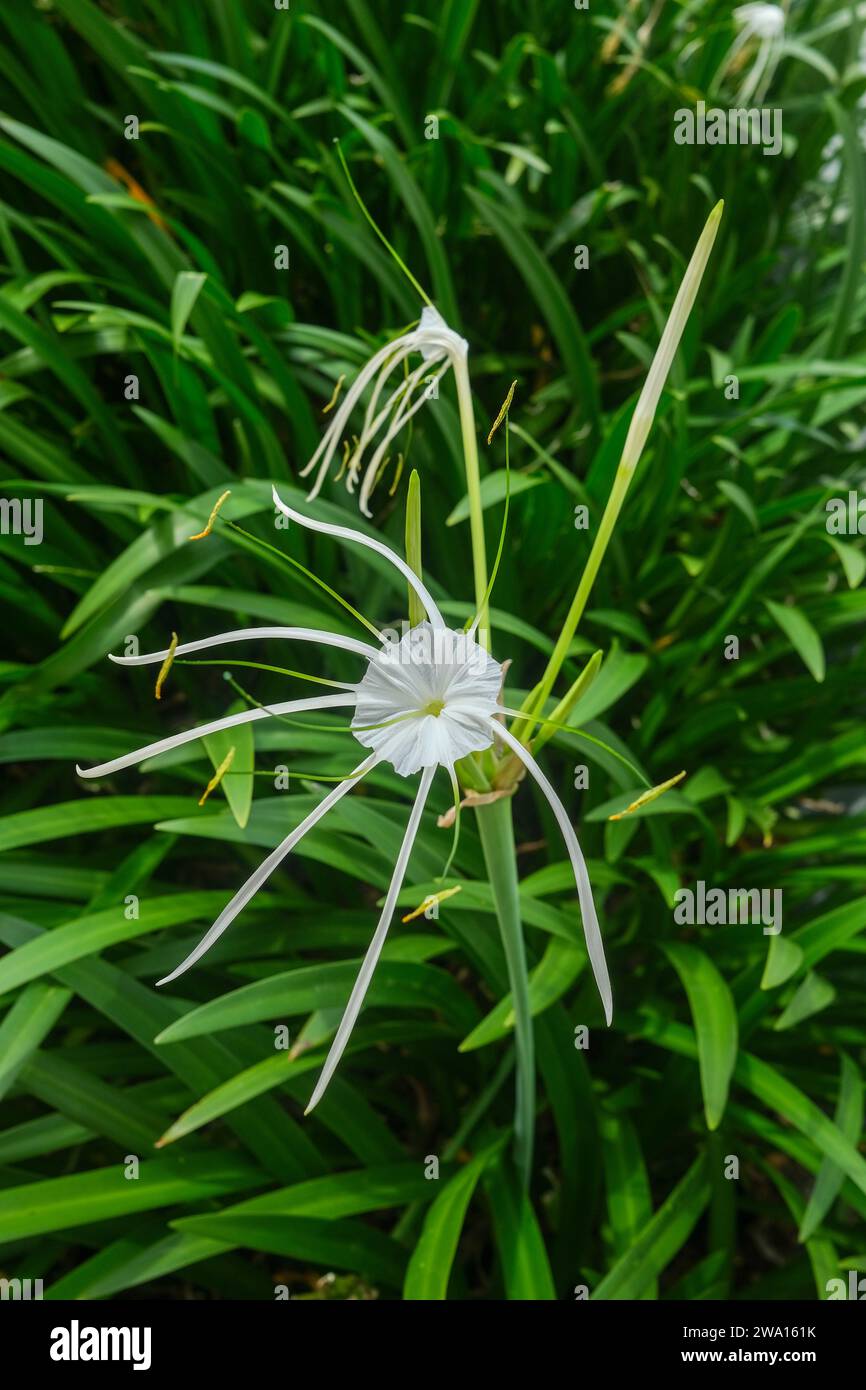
[440,348]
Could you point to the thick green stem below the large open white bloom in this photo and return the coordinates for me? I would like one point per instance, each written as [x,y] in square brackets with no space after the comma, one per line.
[497,831]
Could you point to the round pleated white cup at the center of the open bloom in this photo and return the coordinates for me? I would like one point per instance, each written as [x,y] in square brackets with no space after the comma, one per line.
[427,700]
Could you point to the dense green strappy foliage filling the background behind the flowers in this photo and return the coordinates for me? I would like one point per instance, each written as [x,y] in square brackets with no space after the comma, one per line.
[154,355]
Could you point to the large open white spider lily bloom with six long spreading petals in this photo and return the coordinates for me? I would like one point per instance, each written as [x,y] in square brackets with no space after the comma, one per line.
[422,704]
